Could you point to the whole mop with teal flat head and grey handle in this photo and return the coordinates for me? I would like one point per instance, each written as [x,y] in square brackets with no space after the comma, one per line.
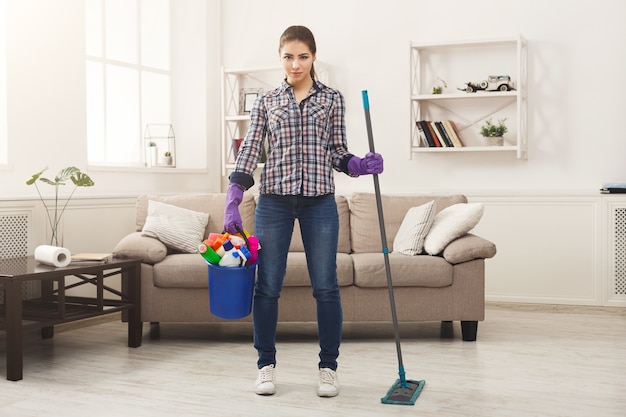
[403,391]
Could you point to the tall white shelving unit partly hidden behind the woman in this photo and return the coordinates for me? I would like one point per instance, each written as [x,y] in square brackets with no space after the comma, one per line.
[239,87]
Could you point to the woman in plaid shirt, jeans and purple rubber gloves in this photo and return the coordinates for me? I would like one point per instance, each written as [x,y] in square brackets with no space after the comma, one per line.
[304,123]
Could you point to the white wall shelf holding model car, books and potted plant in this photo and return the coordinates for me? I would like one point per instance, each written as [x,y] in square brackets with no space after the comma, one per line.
[457,63]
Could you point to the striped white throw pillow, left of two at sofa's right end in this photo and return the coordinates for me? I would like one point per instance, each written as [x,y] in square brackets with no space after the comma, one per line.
[416,223]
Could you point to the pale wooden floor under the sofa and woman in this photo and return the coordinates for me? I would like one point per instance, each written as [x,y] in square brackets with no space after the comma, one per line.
[534,361]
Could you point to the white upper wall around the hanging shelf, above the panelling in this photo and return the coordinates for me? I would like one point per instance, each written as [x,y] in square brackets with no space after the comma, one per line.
[573,145]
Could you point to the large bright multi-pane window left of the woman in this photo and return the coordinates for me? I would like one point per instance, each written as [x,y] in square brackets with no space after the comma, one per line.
[127,75]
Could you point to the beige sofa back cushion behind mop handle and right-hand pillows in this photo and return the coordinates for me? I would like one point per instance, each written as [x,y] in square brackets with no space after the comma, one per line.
[364,225]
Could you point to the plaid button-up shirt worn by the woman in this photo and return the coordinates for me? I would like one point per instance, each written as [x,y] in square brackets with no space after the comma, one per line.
[305,142]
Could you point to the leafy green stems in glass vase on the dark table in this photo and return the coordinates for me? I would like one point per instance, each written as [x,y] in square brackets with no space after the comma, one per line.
[80,179]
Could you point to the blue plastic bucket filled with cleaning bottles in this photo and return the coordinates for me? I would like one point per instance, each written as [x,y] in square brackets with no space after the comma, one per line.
[230,291]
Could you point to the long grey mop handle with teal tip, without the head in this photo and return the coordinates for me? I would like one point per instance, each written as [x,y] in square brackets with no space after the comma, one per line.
[383,237]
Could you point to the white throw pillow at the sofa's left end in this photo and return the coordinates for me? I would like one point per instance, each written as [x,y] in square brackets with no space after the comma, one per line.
[178,228]
